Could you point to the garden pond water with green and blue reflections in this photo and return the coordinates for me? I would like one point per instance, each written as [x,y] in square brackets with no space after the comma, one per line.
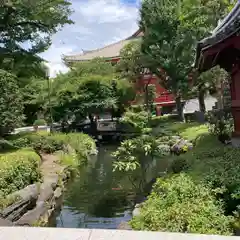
[97,198]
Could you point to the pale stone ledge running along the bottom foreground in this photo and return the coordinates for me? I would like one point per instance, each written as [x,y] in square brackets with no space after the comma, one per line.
[24,233]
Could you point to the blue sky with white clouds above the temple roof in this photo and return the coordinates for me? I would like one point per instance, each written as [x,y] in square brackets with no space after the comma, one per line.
[97,23]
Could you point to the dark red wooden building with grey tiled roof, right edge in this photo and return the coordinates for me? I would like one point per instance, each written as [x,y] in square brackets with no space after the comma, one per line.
[223,48]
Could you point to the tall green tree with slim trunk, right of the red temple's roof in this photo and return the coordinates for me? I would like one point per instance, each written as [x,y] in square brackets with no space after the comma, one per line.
[171,30]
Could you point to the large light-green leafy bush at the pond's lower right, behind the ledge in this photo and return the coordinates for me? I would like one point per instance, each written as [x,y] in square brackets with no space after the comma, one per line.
[178,204]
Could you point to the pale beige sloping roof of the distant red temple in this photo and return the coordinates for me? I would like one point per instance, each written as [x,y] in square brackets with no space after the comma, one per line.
[109,51]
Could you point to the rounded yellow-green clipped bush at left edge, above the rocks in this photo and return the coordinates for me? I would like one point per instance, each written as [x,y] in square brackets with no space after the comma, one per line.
[17,170]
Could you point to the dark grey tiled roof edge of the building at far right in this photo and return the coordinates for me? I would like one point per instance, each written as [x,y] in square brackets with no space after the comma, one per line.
[228,27]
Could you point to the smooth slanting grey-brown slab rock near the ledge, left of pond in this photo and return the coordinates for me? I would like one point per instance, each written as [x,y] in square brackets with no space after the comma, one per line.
[33,216]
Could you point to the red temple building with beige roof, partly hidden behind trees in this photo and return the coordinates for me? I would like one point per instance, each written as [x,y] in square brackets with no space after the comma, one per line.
[164,100]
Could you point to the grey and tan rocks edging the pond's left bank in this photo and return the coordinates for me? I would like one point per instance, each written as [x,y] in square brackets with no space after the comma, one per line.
[37,201]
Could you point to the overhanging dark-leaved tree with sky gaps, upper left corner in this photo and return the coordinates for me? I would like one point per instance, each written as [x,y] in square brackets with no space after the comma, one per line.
[31,22]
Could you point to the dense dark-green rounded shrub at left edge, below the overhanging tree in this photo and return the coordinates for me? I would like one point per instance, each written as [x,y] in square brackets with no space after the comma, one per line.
[11,105]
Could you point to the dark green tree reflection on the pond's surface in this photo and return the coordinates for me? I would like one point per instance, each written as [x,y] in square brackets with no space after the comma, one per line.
[92,193]
